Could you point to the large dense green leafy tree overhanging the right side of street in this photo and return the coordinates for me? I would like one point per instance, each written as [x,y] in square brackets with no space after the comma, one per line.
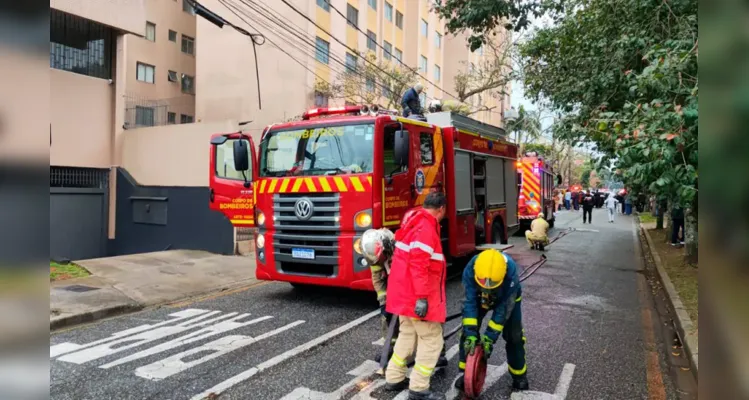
[624,73]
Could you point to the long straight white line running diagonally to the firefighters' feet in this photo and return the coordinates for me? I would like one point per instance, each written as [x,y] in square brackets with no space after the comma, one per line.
[243,376]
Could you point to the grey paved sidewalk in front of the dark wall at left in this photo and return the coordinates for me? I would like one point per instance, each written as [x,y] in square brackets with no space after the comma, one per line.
[129,283]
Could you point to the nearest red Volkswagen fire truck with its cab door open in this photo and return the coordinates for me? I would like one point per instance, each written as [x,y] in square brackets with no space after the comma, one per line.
[316,185]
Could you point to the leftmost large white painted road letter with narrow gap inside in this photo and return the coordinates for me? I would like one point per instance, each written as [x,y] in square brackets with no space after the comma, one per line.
[139,339]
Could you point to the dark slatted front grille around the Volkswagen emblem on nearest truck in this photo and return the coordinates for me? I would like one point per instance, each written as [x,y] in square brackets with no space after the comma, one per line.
[319,232]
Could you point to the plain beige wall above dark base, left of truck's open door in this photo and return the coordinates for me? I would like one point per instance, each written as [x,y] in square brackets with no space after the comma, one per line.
[171,155]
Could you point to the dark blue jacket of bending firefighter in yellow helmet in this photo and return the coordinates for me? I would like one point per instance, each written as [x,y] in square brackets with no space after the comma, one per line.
[479,301]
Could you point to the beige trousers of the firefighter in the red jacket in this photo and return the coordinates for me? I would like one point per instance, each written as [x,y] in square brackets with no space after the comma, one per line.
[426,338]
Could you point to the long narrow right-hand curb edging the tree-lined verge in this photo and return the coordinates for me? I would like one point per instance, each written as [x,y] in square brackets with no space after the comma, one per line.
[683,321]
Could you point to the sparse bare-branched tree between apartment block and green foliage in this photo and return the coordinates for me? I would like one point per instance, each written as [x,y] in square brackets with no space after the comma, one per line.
[491,76]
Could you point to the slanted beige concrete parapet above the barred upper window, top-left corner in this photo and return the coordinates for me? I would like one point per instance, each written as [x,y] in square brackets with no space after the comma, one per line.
[125,15]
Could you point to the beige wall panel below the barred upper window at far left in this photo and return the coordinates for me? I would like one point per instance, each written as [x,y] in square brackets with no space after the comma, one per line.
[81,120]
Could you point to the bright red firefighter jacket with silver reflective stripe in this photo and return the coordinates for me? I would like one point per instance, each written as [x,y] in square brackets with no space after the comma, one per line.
[418,270]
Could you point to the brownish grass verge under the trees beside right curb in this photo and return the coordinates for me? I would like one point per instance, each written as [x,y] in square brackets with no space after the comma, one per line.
[682,275]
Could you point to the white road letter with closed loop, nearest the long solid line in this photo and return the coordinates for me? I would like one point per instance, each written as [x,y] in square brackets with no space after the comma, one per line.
[171,365]
